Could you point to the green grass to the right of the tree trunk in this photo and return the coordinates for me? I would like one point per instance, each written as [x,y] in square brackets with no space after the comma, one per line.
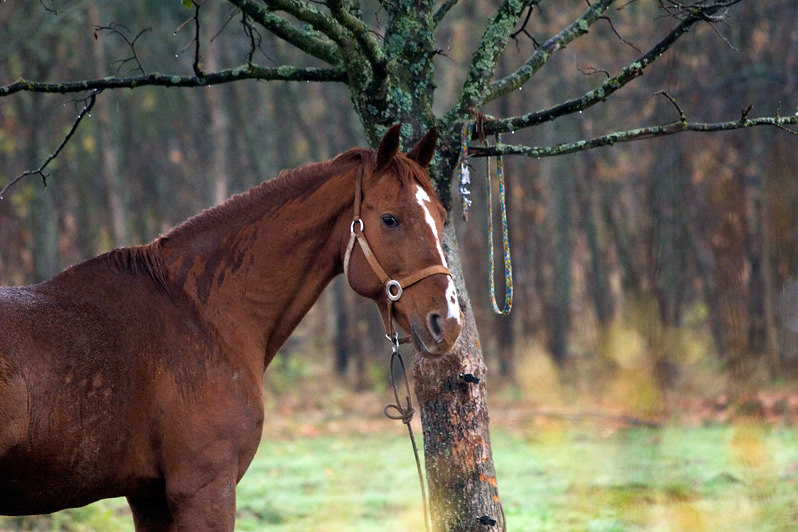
[708,478]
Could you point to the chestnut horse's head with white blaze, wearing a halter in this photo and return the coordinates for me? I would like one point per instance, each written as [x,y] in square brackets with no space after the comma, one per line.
[395,256]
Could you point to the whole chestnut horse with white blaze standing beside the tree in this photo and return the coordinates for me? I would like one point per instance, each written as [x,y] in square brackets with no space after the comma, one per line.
[139,373]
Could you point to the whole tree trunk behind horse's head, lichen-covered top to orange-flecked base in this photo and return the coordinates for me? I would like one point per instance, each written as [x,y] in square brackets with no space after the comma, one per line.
[454,413]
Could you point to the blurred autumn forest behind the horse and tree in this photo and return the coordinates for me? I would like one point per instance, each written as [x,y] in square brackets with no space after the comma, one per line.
[653,279]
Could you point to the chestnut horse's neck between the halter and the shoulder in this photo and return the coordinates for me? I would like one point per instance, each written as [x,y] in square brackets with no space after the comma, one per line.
[254,266]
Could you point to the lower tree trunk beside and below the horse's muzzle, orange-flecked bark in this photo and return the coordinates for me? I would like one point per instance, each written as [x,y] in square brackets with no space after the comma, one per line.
[461,477]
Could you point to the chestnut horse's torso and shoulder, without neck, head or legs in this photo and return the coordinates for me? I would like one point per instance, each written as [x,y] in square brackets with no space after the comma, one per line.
[98,404]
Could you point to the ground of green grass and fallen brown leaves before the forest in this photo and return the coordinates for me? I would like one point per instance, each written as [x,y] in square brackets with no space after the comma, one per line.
[329,460]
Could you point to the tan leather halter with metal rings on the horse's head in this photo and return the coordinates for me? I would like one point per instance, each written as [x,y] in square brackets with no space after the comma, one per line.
[393,288]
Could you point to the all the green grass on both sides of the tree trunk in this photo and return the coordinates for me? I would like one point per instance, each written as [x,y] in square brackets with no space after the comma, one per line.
[553,475]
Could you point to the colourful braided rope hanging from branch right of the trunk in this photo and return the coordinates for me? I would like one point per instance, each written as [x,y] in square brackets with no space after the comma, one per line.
[470,129]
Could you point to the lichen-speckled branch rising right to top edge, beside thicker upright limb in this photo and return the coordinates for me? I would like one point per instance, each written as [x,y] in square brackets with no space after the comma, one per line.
[541,56]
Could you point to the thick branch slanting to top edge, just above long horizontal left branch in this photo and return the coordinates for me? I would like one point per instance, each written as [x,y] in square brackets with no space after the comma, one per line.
[312,43]
